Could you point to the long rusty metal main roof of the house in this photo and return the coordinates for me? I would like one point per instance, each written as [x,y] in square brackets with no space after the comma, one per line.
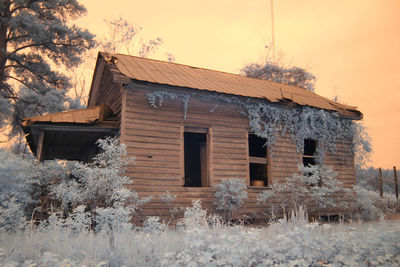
[154,71]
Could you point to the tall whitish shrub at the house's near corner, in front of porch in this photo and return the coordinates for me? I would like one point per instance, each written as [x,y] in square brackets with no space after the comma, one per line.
[100,186]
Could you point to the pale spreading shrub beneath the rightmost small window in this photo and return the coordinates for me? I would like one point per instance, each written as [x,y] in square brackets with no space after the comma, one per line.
[314,186]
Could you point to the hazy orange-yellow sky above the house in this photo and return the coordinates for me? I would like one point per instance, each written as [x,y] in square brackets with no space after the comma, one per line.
[352,47]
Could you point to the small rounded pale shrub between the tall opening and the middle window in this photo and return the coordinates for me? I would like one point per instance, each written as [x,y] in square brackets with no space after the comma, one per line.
[230,194]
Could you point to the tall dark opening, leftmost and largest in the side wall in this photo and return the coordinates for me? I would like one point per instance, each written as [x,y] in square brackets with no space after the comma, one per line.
[195,159]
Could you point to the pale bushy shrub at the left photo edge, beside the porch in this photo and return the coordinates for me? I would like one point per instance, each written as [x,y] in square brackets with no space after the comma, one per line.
[22,181]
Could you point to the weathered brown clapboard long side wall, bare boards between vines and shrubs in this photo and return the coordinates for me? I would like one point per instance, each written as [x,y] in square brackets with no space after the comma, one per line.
[155,138]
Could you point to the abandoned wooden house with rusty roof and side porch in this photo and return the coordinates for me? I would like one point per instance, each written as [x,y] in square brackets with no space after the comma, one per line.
[189,127]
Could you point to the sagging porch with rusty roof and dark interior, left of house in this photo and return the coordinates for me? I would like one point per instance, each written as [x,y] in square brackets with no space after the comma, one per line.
[69,135]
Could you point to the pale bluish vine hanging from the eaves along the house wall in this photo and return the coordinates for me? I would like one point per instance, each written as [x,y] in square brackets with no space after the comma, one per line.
[269,121]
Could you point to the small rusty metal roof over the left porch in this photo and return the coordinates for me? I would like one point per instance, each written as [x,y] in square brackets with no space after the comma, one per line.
[88,115]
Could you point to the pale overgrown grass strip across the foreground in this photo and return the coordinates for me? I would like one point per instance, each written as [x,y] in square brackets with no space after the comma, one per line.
[198,242]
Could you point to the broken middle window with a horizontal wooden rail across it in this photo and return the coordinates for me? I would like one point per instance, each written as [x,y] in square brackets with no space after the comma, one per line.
[258,160]
